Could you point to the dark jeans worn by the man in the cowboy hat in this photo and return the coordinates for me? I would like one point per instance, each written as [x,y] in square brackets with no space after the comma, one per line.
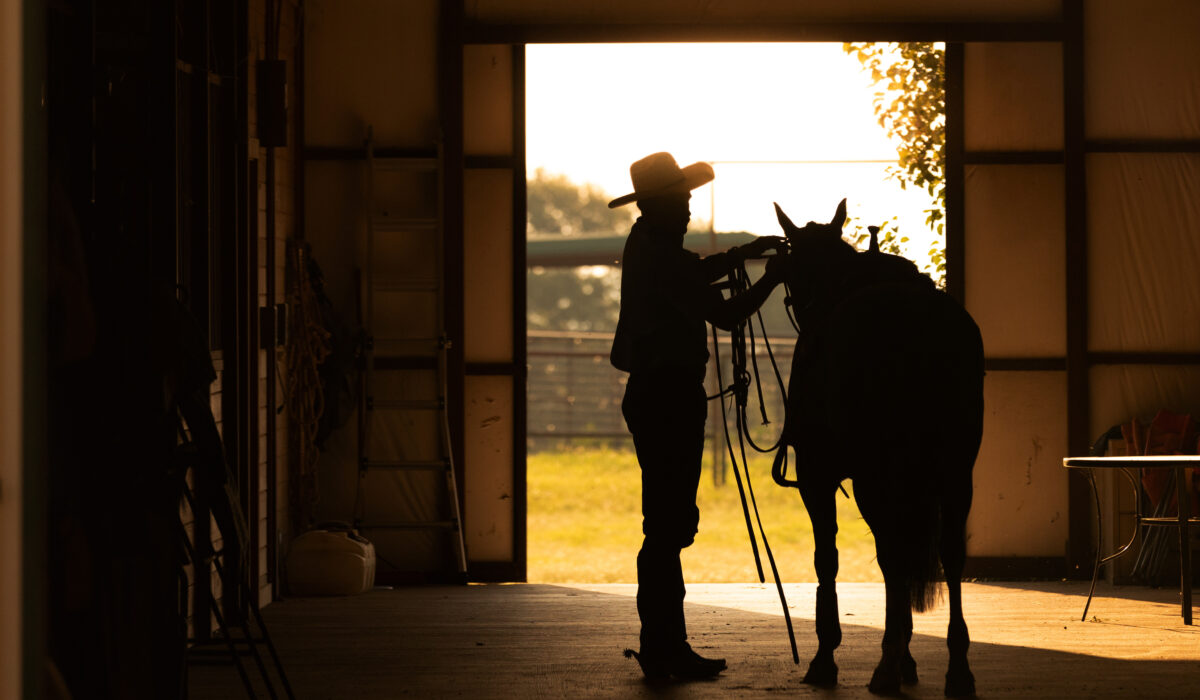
[665,414]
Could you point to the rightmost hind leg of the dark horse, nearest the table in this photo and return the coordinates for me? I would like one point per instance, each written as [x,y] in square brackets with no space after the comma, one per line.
[959,679]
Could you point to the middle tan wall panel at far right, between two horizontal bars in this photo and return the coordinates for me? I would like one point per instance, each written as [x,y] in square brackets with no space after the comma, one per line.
[1143,252]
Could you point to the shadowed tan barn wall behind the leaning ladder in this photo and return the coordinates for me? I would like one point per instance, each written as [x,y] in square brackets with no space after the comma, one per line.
[371,67]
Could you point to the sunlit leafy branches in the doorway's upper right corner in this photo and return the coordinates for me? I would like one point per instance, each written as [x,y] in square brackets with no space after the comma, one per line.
[910,104]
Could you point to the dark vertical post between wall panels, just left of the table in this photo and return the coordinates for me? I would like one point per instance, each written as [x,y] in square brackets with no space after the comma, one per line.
[1076,217]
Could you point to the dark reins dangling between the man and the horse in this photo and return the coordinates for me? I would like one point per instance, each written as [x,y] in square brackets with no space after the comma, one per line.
[740,390]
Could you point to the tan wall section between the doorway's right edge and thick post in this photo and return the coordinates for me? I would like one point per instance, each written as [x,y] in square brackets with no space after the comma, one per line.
[1015,267]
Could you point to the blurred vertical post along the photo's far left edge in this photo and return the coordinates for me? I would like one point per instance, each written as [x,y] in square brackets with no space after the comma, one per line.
[22,358]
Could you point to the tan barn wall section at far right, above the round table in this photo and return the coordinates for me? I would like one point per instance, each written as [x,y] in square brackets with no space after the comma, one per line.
[1142,105]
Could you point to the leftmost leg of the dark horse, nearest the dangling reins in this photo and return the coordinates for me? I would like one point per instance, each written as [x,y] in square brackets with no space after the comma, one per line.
[823,511]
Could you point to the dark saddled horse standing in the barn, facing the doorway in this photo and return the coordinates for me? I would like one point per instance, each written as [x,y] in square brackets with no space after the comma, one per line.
[886,391]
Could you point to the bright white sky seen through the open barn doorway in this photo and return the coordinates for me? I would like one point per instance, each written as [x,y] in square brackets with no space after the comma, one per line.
[770,117]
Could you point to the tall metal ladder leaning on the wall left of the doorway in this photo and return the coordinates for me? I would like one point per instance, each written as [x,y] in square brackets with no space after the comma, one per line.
[404,424]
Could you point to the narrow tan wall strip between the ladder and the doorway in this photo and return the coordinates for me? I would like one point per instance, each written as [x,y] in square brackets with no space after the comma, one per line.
[490,427]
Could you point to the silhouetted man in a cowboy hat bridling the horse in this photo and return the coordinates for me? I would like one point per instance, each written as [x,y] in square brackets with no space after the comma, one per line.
[667,297]
